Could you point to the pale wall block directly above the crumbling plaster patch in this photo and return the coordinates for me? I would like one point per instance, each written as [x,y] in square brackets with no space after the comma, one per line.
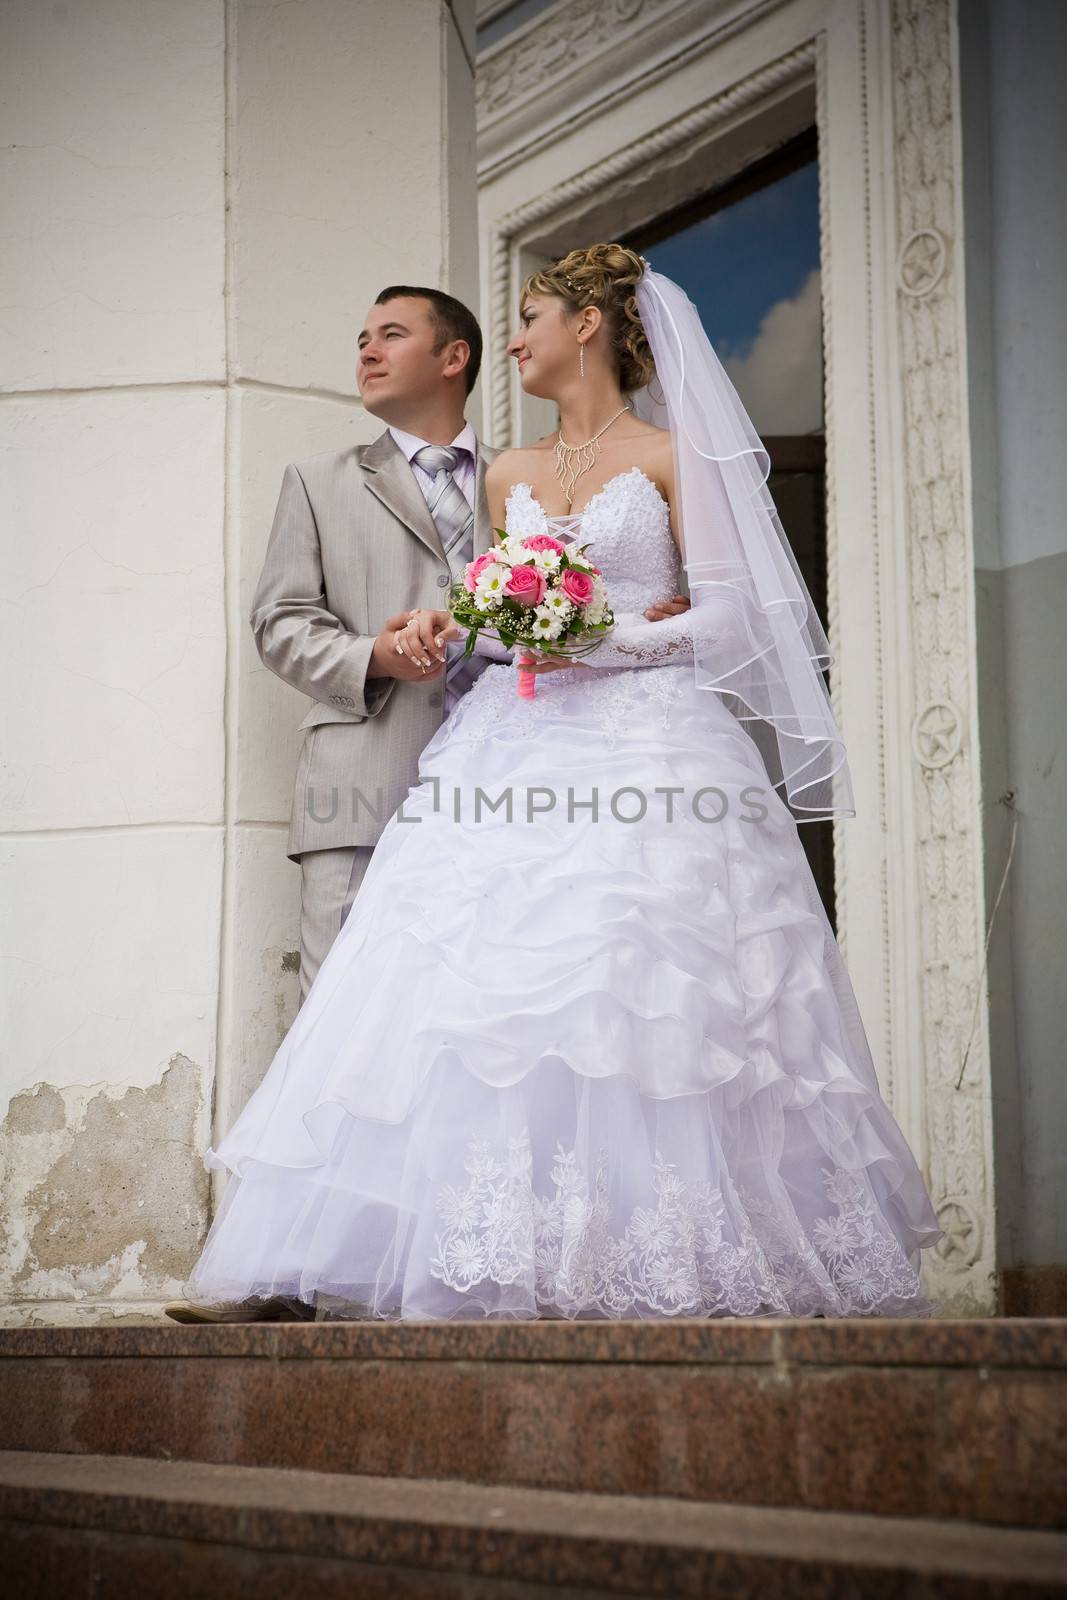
[111,954]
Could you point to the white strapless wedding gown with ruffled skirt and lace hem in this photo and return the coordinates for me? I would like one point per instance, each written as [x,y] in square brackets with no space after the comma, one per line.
[577,1066]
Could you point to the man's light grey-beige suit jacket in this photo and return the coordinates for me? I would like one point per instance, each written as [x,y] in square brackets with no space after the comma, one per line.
[353,543]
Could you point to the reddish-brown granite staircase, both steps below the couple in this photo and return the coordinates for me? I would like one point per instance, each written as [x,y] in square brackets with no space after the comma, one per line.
[858,1458]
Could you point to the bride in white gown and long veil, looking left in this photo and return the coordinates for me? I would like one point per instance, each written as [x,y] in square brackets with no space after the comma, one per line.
[586,1046]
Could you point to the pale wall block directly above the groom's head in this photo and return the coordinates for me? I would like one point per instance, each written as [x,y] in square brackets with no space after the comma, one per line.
[337,177]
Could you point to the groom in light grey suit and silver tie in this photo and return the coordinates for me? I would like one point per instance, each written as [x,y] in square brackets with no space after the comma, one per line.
[361,540]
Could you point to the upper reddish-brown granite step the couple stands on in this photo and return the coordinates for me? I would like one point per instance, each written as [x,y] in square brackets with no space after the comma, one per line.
[943,1420]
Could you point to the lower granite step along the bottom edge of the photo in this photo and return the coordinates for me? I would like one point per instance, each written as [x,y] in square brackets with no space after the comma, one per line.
[119,1526]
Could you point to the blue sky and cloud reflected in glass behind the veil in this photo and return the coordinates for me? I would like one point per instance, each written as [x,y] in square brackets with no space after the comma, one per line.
[753,273]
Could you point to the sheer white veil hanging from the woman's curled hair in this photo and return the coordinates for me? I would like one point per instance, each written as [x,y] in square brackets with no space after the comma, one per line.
[765,647]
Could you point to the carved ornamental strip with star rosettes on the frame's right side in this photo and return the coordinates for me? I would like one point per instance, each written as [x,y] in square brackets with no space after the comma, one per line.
[948,799]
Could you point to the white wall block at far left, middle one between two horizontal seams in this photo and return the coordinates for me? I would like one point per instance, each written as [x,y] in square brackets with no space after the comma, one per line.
[114,646]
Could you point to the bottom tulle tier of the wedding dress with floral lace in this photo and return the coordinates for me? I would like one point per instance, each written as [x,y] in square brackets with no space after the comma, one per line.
[700,1206]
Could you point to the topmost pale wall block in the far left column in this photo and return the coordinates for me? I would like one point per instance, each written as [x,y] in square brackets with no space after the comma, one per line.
[113,134]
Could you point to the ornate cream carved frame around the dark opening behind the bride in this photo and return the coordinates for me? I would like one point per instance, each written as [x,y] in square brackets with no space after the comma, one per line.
[602,108]
